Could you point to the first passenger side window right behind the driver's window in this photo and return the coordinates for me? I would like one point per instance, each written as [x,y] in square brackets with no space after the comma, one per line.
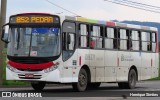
[83,40]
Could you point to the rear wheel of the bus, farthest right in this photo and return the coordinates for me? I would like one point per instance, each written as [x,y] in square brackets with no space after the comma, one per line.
[132,79]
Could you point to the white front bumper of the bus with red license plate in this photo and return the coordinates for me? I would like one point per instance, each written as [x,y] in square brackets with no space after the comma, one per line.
[53,76]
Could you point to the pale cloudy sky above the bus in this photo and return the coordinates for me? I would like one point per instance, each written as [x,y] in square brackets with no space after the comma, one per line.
[94,9]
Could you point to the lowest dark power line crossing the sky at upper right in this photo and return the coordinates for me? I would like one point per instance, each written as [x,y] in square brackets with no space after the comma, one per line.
[132,6]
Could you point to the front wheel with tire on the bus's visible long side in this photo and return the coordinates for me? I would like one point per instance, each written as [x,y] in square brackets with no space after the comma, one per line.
[81,85]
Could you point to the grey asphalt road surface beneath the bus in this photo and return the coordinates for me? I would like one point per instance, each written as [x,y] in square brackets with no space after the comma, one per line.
[145,90]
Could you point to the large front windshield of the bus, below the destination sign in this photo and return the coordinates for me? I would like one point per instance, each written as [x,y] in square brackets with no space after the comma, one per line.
[34,42]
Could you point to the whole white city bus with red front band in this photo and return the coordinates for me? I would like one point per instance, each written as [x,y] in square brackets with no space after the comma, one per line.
[45,48]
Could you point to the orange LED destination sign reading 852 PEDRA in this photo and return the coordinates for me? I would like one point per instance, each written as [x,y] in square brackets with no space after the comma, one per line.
[34,19]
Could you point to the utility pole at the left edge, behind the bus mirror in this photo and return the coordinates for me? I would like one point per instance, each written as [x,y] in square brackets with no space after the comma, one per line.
[3,7]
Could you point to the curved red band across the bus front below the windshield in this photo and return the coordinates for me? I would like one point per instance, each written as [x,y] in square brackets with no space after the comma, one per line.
[30,66]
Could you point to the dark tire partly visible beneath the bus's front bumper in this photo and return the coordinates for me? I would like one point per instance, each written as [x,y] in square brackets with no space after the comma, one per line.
[38,86]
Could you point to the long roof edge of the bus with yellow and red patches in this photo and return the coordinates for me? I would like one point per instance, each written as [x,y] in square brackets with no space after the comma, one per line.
[110,23]
